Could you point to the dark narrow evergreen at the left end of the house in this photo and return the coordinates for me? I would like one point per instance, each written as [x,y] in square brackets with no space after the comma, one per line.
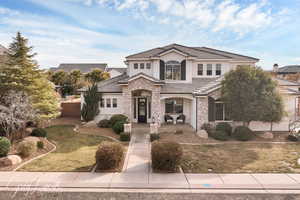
[90,108]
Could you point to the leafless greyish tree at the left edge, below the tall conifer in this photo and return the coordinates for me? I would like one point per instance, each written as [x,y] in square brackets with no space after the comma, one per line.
[15,111]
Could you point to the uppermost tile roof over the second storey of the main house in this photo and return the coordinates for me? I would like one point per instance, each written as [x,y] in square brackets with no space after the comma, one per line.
[197,52]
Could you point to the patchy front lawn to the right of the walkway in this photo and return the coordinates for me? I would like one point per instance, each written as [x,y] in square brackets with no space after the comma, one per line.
[241,158]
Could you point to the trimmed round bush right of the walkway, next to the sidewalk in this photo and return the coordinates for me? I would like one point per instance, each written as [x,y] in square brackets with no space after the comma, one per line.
[166,156]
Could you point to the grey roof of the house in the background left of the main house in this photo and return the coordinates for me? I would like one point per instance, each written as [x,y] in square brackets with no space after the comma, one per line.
[83,67]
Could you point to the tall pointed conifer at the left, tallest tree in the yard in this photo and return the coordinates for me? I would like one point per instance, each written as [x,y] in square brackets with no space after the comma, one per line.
[21,73]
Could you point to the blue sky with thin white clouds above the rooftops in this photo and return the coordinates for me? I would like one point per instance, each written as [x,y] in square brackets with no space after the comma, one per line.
[109,30]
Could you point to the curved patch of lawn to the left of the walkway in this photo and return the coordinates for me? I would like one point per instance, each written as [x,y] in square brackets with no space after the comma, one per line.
[75,152]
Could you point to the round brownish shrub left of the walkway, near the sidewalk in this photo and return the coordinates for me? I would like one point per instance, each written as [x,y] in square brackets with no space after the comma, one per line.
[109,155]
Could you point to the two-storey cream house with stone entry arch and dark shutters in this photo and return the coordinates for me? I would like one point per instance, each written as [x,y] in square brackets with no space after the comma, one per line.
[175,80]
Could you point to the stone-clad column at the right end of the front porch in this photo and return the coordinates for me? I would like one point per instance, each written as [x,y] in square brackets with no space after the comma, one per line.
[202,111]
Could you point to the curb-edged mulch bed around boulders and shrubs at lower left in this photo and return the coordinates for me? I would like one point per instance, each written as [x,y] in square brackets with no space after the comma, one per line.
[13,151]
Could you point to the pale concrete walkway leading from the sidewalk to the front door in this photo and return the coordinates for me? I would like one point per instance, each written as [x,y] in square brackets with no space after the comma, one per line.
[139,150]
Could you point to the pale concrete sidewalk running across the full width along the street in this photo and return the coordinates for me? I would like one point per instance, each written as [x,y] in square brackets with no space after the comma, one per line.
[154,181]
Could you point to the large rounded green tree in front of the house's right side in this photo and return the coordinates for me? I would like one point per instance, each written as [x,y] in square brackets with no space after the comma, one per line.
[250,95]
